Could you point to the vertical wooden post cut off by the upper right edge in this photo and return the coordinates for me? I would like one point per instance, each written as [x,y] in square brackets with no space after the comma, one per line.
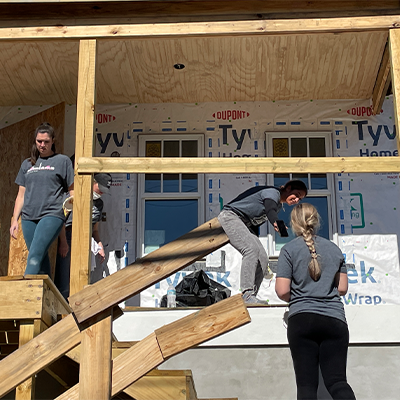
[394,49]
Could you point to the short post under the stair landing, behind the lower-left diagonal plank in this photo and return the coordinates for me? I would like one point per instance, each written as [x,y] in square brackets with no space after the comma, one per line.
[27,331]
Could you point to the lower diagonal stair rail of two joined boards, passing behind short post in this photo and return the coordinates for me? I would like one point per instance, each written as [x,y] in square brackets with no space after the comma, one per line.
[172,339]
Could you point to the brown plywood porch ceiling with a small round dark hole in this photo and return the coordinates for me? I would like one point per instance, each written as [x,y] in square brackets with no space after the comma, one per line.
[261,68]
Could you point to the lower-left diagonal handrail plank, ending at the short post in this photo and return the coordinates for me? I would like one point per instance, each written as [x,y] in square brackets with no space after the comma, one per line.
[38,353]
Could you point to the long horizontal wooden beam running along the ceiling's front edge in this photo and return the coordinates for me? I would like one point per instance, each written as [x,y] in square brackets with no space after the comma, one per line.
[209,28]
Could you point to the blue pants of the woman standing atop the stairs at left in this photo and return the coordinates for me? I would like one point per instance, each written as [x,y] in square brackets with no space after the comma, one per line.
[39,235]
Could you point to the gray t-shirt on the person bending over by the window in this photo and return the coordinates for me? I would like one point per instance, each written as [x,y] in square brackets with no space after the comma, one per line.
[250,203]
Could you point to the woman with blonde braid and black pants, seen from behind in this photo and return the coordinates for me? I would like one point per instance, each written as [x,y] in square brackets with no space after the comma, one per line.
[312,276]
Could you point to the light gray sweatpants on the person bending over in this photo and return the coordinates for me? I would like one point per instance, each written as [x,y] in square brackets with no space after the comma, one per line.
[255,258]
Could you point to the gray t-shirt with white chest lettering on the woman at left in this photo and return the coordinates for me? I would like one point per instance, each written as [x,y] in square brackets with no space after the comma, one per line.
[45,186]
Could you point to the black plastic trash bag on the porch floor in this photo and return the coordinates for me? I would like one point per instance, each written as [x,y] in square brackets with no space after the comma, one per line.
[197,289]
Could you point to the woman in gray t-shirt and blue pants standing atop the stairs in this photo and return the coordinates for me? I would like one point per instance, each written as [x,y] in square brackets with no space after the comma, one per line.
[43,181]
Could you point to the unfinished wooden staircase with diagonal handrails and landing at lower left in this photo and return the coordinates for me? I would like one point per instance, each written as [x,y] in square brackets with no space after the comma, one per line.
[88,323]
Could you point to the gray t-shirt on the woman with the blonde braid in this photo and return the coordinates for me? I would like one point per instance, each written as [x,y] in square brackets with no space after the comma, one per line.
[306,295]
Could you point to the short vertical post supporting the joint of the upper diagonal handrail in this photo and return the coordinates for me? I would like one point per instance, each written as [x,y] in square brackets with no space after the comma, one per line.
[96,365]
